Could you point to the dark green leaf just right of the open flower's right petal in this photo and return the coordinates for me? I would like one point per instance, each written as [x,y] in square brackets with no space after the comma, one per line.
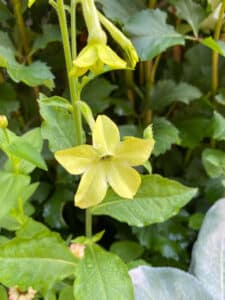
[165,135]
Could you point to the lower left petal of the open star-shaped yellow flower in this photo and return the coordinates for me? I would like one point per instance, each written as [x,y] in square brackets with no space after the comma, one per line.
[92,187]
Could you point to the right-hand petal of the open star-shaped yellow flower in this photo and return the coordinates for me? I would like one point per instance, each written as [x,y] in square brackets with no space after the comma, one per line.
[134,151]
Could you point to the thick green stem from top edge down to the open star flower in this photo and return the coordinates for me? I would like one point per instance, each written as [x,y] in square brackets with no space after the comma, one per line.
[73,83]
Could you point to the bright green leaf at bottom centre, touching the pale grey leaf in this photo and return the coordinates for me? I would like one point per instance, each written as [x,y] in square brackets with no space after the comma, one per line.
[102,275]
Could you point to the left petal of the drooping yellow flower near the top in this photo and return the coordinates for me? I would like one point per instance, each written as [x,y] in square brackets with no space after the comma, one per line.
[87,57]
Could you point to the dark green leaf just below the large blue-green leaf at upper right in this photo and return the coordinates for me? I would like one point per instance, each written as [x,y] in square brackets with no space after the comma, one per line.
[166,92]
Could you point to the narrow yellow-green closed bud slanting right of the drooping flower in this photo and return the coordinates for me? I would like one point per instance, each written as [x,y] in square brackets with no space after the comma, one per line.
[120,39]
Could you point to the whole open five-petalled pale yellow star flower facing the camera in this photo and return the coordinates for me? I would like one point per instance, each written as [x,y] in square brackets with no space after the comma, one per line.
[108,162]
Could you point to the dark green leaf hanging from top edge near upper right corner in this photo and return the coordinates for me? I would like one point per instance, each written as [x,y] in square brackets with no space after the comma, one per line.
[191,12]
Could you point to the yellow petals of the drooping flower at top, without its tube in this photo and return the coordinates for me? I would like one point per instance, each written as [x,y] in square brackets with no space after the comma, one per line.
[94,57]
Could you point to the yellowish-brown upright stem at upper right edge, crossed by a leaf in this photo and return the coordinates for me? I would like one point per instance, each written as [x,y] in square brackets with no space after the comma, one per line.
[215,55]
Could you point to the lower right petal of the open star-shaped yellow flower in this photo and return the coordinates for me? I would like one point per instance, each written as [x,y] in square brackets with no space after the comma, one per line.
[124,180]
